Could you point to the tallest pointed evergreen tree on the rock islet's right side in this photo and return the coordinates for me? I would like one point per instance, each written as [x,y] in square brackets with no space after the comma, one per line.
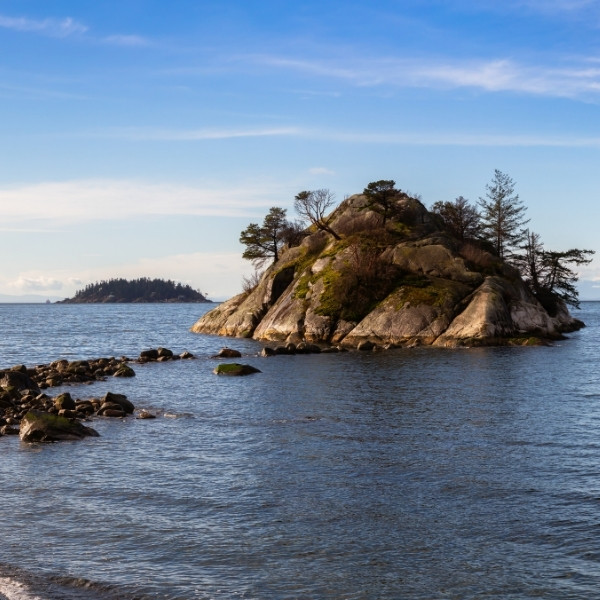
[502,215]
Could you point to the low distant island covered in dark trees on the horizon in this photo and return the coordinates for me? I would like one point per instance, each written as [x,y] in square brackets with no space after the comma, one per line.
[136,290]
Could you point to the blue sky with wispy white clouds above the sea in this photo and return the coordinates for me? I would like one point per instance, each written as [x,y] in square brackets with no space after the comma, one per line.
[139,137]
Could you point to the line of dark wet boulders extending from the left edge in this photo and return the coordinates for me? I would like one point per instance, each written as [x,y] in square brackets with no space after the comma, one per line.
[27,410]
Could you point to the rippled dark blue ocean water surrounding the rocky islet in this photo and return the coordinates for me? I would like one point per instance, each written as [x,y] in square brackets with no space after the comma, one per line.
[408,474]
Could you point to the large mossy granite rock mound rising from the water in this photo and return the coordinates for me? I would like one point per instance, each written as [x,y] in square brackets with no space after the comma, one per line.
[408,283]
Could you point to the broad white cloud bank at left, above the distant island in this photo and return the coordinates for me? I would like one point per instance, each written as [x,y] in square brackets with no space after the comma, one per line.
[89,200]
